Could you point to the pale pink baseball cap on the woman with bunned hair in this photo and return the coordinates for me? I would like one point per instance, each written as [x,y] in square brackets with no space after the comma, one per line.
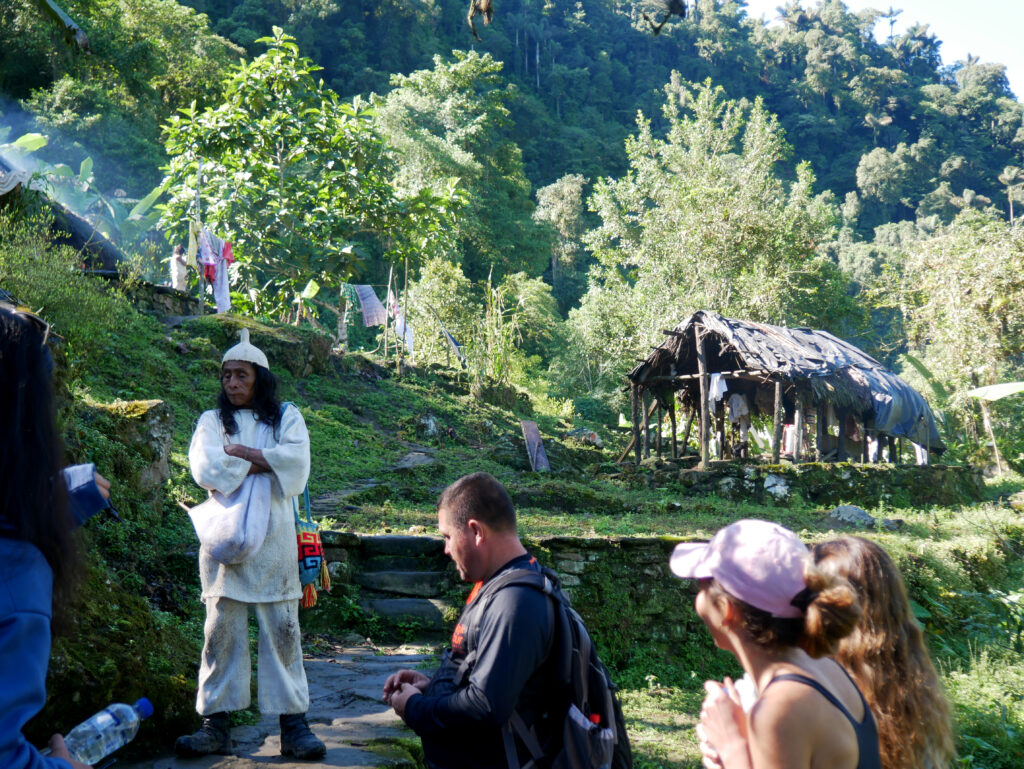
[757,562]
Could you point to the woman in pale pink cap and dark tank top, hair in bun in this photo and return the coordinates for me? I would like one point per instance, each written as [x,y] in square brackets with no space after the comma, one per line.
[765,602]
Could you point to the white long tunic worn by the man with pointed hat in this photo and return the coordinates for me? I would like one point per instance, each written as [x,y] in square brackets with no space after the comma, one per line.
[272,575]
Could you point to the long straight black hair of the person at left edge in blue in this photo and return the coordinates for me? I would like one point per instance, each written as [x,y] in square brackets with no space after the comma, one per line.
[33,493]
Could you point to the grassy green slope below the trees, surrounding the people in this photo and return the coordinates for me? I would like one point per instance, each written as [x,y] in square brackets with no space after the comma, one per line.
[132,382]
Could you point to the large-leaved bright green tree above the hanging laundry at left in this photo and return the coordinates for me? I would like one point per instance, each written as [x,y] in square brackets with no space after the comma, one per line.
[293,177]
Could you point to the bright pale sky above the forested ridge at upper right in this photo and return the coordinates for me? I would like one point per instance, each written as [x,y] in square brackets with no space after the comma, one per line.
[990,29]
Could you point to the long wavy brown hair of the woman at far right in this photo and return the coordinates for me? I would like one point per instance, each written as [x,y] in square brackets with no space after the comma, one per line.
[887,657]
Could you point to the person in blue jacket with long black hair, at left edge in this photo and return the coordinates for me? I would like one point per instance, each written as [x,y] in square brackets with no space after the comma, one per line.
[39,563]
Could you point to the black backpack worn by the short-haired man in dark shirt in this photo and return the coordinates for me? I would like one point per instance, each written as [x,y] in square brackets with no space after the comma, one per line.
[593,731]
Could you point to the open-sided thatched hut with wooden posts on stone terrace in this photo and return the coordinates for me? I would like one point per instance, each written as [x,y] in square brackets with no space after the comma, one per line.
[796,376]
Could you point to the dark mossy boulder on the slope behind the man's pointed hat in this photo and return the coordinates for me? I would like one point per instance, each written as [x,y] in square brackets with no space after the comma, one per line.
[302,352]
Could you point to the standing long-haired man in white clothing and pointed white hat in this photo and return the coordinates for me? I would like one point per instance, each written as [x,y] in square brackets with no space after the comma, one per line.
[250,434]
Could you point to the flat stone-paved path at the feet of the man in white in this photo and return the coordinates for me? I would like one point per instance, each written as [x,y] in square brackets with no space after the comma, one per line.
[346,711]
